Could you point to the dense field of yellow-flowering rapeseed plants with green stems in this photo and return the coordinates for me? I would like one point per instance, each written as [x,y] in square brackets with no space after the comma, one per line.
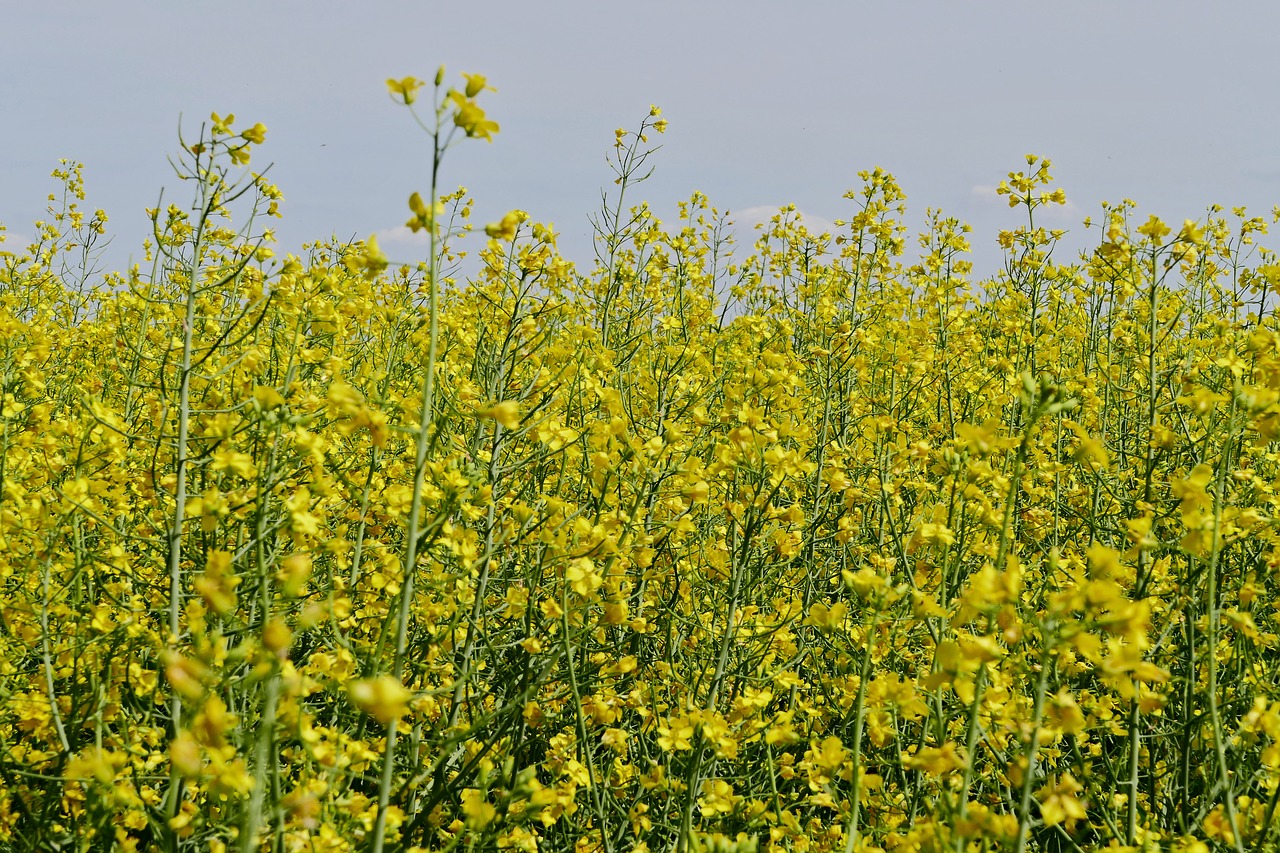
[815,545]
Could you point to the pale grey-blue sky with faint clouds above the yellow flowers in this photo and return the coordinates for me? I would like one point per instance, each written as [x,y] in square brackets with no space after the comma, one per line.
[1172,103]
